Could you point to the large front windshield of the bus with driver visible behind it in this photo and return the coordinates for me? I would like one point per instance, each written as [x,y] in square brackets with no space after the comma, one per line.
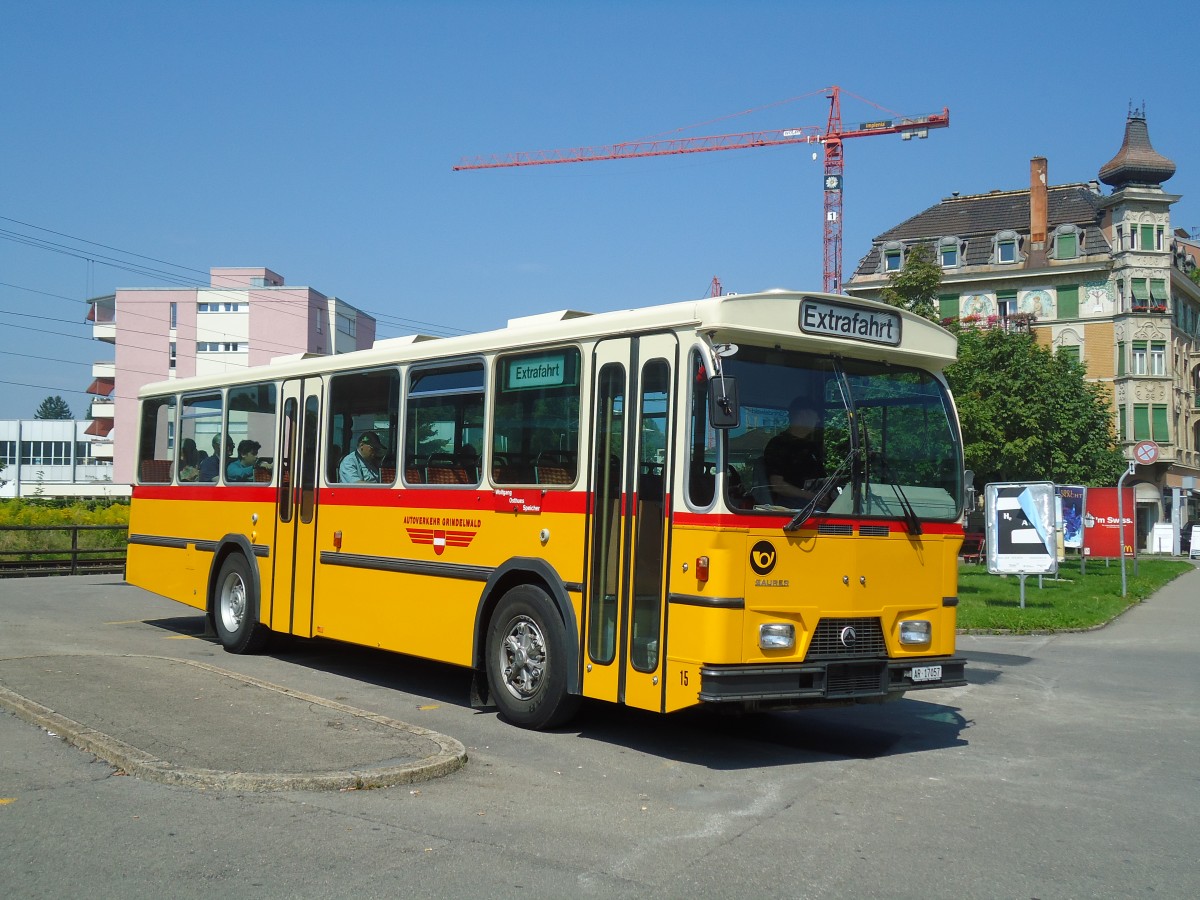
[844,437]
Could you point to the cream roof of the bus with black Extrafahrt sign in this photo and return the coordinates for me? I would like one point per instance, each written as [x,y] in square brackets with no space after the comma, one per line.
[769,319]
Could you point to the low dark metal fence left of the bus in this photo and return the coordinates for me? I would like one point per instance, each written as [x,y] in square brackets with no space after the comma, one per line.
[58,550]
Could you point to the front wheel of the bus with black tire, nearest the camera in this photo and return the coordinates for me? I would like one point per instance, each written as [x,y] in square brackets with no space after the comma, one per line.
[527,661]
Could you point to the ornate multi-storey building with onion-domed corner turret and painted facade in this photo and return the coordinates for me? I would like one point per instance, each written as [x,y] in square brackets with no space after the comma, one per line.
[1101,277]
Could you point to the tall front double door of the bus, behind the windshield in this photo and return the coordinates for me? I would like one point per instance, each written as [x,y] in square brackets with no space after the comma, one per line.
[631,503]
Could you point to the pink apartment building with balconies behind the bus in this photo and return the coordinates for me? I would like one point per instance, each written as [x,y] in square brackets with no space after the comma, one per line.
[245,317]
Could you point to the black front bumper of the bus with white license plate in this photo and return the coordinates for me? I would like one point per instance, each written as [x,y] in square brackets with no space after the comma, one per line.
[830,680]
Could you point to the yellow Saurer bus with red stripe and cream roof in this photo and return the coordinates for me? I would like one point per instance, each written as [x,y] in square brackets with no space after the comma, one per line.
[749,502]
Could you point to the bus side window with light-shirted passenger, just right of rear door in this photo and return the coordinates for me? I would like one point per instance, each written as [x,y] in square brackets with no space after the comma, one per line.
[361,447]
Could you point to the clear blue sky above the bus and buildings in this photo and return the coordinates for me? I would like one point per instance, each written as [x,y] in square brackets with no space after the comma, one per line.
[317,140]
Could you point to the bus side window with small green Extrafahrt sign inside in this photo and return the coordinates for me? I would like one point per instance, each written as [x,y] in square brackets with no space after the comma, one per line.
[536,434]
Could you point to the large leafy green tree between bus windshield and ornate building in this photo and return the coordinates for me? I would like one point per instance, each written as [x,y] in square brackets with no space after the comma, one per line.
[1029,415]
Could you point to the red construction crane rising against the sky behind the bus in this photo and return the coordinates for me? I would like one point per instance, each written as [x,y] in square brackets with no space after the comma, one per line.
[831,139]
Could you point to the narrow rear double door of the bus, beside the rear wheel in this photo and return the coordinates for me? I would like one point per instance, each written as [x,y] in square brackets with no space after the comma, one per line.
[297,508]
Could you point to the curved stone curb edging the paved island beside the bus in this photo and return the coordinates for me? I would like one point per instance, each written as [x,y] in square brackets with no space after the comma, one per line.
[451,758]
